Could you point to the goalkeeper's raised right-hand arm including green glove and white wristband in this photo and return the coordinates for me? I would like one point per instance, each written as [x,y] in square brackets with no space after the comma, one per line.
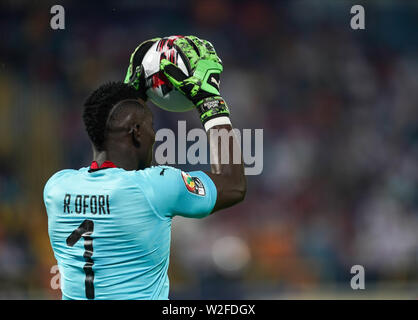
[202,88]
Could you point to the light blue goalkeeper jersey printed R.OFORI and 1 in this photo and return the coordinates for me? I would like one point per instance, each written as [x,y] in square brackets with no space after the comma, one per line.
[110,228]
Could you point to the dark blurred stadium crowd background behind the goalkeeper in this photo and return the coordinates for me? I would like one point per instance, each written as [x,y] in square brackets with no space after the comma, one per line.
[339,112]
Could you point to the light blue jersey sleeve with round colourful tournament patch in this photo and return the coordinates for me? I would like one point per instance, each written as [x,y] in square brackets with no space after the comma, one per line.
[174,192]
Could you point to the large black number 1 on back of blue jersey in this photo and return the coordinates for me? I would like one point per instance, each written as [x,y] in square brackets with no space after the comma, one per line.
[85,230]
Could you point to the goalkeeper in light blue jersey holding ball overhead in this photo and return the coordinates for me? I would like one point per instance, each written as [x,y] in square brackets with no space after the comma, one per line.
[110,223]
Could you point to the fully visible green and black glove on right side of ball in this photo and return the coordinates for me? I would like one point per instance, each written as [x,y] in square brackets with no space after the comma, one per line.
[202,87]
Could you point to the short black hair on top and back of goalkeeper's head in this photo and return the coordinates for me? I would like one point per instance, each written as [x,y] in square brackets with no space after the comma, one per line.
[98,105]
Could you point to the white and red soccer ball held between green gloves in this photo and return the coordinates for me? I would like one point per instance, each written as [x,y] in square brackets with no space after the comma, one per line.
[159,89]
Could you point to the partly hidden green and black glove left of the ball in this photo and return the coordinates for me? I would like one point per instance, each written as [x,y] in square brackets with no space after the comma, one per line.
[135,74]
